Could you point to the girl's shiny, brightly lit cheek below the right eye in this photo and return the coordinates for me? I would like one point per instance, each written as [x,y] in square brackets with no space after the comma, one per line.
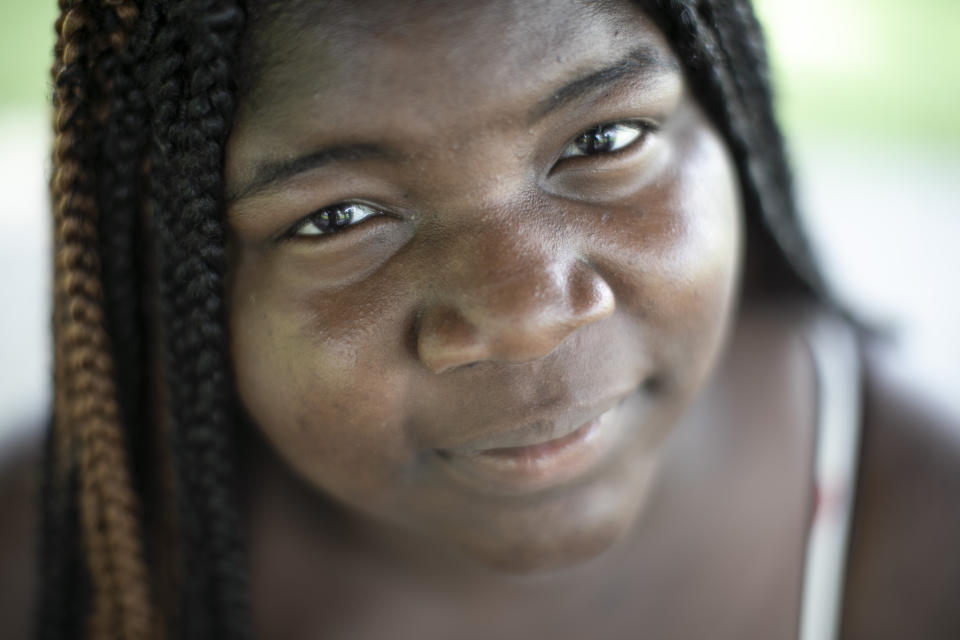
[678,255]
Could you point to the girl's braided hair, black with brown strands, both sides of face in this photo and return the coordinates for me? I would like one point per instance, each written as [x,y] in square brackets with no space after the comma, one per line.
[144,407]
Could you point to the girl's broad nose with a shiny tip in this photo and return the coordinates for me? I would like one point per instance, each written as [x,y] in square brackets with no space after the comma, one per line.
[501,300]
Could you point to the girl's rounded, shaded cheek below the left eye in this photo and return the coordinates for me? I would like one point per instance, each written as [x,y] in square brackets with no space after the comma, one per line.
[321,385]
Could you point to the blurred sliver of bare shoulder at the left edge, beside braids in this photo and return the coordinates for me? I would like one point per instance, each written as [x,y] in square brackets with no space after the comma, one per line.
[19,482]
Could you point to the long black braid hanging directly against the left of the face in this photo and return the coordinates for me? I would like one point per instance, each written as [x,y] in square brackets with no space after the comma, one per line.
[191,123]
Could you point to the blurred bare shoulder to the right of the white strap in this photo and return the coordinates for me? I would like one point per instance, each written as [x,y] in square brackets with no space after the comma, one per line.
[903,578]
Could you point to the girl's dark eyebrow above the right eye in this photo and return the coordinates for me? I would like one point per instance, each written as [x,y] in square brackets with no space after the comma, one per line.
[643,60]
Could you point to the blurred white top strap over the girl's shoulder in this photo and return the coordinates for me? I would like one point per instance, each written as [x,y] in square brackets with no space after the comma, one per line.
[834,348]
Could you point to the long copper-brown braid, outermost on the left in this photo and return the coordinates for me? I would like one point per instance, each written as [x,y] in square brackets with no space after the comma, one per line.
[88,427]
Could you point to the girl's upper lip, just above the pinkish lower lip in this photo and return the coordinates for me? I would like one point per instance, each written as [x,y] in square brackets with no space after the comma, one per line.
[551,425]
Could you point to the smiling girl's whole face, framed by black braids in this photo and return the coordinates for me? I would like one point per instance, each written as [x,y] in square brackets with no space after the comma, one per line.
[483,256]
